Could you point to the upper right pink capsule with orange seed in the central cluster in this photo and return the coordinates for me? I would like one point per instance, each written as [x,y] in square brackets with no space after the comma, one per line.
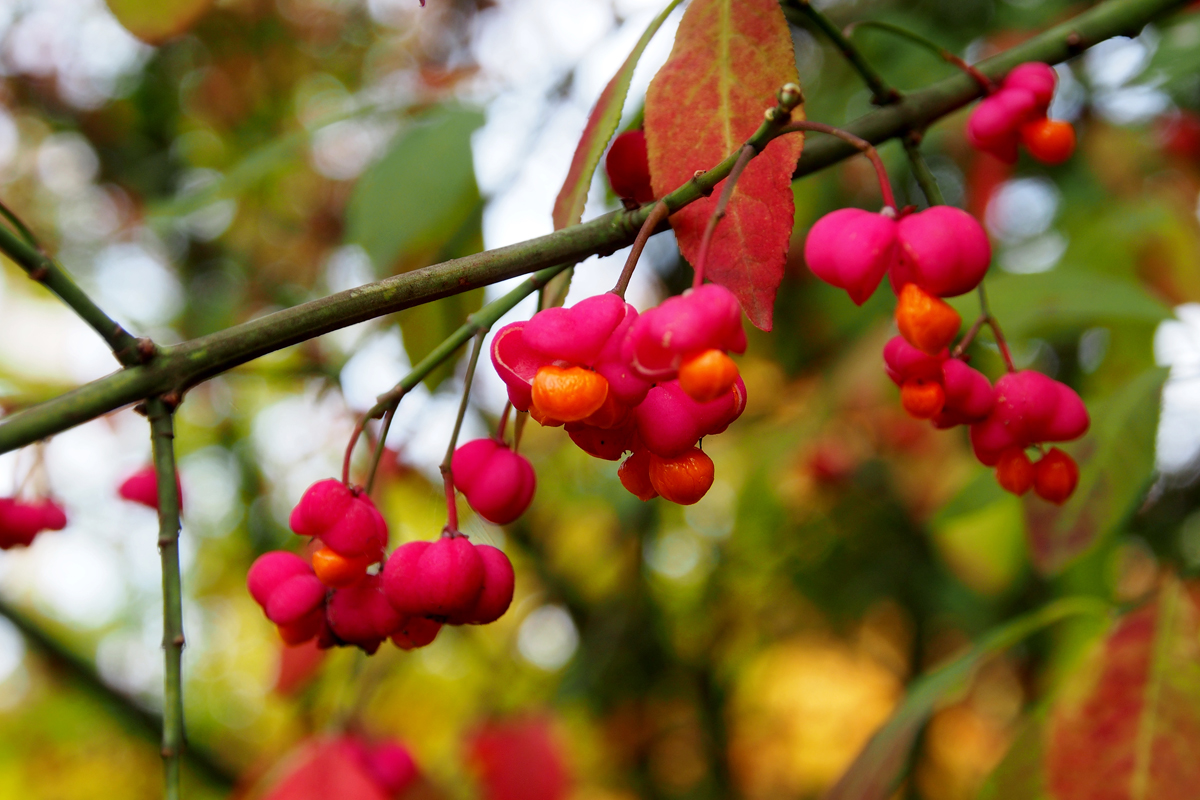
[701,320]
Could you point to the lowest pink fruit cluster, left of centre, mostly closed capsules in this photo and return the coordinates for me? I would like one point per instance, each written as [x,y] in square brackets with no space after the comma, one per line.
[337,599]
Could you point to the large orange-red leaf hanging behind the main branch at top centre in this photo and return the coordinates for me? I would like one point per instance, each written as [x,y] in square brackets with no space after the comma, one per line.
[729,61]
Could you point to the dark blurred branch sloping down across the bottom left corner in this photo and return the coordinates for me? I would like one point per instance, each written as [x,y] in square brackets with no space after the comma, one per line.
[83,672]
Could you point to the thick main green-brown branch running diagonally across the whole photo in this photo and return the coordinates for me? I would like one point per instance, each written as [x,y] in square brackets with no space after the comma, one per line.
[183,366]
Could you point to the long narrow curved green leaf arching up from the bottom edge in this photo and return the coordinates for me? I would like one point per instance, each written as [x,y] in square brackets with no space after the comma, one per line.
[880,767]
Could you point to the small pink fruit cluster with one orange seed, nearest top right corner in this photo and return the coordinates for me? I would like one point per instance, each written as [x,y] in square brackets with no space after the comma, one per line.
[1017,115]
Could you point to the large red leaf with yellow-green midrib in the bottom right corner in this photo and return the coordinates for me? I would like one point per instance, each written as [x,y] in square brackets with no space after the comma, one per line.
[1129,727]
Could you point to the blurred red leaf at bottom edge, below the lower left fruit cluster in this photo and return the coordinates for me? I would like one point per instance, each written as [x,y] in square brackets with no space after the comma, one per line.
[326,771]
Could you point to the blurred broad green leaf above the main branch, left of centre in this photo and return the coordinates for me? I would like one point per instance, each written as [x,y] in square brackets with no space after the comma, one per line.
[421,195]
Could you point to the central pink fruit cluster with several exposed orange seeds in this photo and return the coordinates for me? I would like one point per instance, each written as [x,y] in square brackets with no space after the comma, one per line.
[652,386]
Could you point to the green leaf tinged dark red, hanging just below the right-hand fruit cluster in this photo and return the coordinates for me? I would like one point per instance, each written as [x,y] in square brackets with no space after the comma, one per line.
[1117,462]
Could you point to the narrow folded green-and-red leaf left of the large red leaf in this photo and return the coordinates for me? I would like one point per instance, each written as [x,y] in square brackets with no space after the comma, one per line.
[604,119]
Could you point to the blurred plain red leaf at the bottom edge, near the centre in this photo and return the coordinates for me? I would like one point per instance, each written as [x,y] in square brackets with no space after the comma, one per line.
[520,760]
